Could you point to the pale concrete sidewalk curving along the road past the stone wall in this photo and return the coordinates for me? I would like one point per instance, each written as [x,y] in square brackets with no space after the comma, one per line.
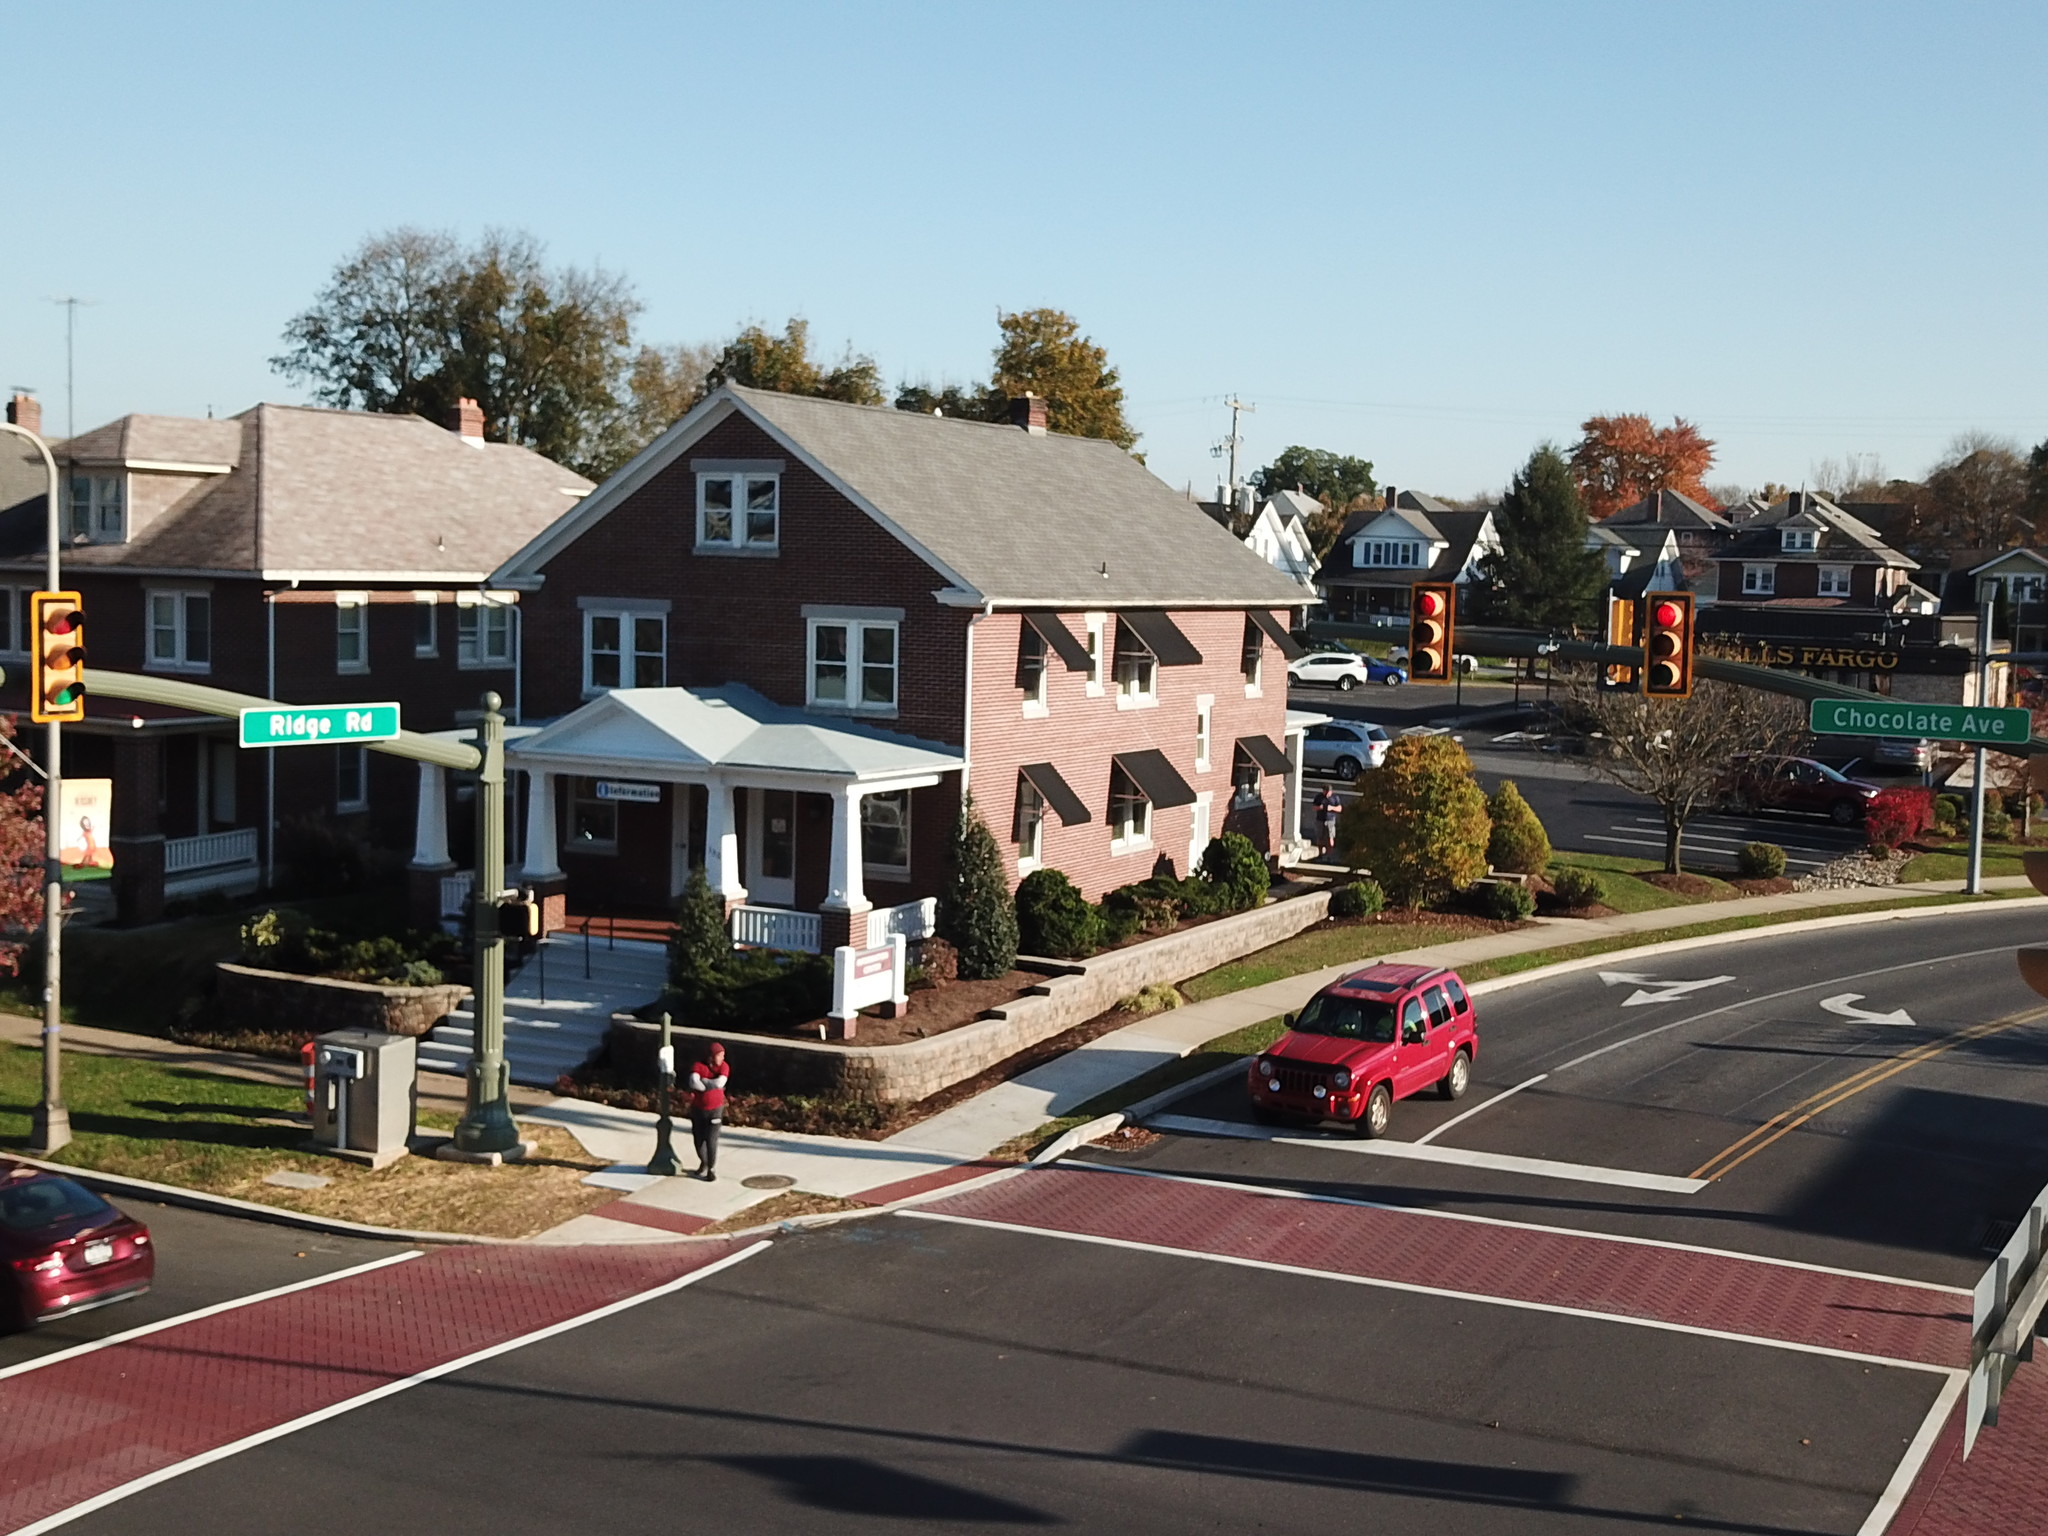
[1064,1086]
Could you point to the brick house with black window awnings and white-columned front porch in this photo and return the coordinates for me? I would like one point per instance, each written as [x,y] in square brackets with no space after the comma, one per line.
[787,636]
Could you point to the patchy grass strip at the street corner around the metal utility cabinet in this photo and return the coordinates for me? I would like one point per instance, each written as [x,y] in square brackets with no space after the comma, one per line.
[222,1136]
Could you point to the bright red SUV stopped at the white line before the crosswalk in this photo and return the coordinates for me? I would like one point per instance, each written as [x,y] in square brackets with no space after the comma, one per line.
[1365,1041]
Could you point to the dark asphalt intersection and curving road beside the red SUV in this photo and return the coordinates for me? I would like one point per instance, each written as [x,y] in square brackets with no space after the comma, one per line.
[904,1375]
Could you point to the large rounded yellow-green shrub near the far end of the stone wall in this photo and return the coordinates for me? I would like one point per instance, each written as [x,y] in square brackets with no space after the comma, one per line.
[1420,822]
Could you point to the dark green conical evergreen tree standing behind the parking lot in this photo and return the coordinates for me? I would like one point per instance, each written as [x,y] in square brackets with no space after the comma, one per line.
[1543,574]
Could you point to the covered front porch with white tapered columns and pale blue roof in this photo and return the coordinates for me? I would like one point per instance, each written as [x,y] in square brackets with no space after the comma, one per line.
[814,830]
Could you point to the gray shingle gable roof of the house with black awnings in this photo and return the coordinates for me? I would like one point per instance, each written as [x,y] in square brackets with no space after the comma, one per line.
[1017,517]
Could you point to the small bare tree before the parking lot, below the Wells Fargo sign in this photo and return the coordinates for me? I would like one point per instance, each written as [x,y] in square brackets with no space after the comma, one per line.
[1680,753]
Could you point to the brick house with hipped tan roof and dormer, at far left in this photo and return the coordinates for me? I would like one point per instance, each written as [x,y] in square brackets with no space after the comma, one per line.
[292,554]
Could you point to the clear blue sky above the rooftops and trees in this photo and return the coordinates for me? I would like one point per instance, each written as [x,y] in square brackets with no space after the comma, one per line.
[1424,234]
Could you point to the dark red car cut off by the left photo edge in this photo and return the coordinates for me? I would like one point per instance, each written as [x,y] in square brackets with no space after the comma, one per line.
[65,1248]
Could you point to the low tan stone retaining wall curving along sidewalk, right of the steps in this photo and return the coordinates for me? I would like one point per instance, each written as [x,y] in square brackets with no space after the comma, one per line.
[902,1074]
